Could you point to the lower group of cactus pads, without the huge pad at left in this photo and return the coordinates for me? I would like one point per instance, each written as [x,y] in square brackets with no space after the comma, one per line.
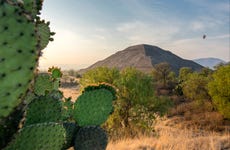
[54,122]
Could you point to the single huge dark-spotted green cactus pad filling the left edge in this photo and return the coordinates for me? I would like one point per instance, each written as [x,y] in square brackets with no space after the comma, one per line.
[18,56]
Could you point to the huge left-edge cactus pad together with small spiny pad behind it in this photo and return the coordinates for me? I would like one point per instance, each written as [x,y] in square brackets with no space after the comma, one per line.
[22,37]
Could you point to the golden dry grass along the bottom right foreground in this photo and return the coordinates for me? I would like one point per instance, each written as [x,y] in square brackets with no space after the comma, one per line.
[170,138]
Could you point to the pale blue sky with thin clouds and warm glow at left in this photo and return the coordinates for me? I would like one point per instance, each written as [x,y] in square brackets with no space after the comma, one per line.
[90,30]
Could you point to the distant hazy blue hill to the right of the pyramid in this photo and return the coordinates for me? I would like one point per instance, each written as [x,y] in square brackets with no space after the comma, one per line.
[209,62]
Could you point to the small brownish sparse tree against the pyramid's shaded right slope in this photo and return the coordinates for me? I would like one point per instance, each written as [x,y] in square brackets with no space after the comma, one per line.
[161,72]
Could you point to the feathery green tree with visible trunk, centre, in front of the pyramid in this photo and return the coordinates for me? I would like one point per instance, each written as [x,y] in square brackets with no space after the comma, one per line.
[135,89]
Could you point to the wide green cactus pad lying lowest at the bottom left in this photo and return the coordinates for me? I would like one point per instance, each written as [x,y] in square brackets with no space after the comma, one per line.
[44,136]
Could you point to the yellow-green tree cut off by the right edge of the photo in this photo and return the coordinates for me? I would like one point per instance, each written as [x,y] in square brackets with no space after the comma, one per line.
[219,89]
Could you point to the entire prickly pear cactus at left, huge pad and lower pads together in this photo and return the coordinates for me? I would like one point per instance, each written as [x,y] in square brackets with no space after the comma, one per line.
[50,120]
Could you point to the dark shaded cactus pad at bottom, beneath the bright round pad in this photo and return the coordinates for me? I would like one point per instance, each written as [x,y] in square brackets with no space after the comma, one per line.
[91,138]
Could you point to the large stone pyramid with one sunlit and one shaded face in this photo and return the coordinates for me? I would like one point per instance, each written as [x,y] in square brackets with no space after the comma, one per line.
[144,57]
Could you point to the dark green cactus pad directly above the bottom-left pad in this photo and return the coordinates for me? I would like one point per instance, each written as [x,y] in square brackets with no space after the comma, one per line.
[43,109]
